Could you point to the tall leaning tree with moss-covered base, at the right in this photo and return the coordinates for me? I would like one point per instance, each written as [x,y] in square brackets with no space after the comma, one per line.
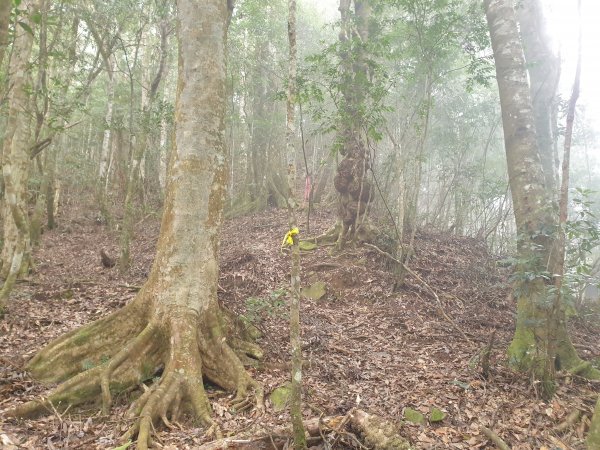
[541,342]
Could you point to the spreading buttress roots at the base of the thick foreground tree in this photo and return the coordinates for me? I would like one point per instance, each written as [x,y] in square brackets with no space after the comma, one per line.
[188,347]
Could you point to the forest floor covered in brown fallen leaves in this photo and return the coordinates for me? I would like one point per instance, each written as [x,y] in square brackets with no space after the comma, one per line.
[364,345]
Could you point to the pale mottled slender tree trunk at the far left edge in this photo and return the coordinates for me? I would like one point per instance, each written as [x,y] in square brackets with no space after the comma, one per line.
[15,158]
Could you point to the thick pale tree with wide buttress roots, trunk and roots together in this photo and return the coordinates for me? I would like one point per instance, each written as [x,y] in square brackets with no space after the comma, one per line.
[174,325]
